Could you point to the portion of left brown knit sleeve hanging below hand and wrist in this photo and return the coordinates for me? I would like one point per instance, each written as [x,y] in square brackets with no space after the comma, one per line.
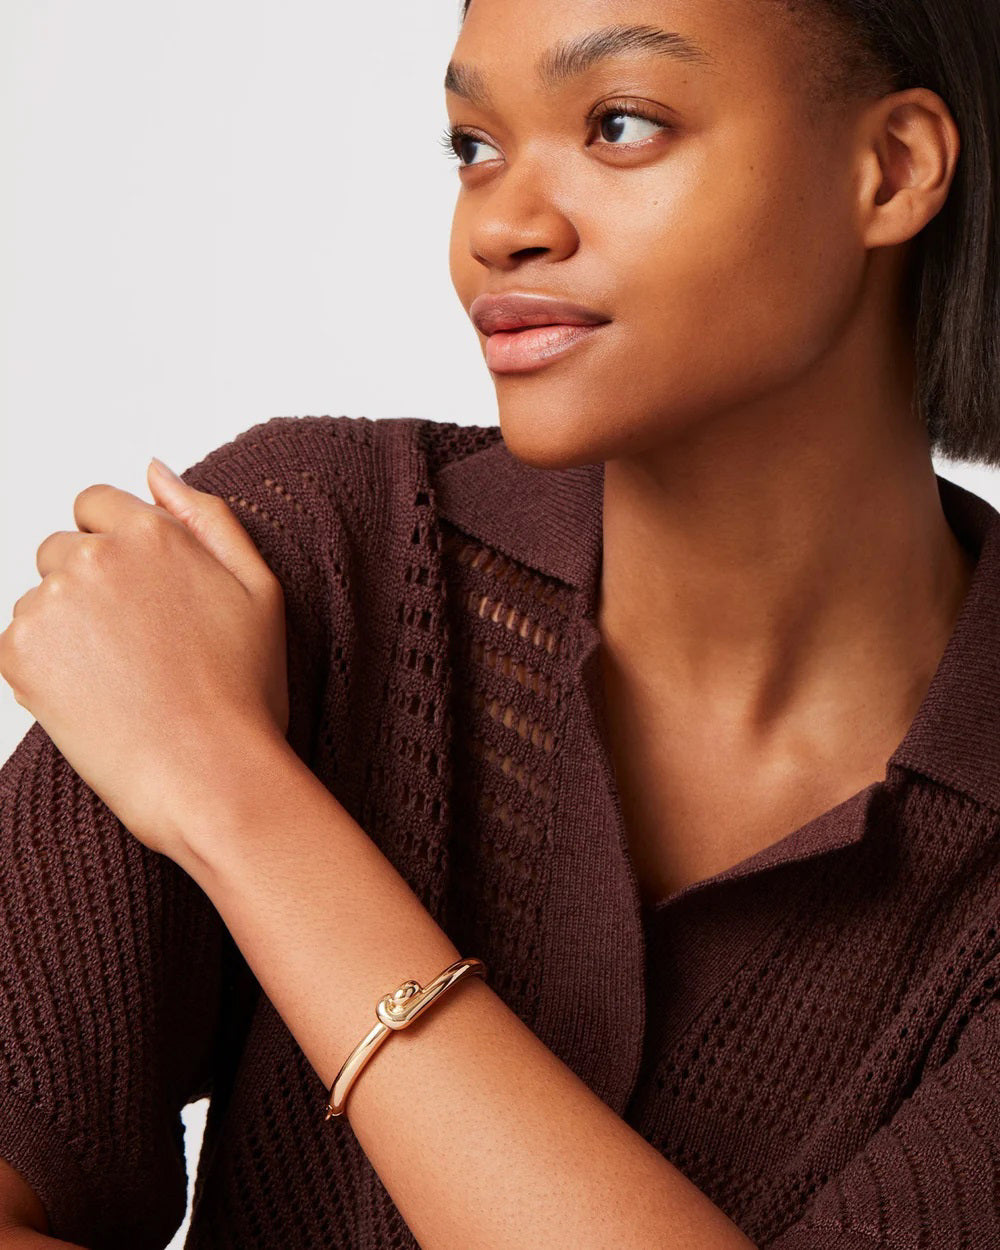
[109,991]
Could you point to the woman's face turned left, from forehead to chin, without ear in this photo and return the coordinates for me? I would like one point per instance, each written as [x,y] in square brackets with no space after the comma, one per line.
[718,234]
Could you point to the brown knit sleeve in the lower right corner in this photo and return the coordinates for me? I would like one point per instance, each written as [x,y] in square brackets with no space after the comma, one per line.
[931,1178]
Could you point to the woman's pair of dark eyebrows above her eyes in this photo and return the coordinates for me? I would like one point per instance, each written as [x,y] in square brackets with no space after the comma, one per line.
[572,57]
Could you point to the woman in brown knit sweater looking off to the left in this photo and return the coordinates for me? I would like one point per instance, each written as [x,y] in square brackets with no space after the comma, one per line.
[673,701]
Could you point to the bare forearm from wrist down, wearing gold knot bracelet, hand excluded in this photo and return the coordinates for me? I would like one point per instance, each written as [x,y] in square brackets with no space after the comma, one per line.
[481,1134]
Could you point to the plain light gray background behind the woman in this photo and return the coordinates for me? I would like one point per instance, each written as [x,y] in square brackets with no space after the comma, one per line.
[214,213]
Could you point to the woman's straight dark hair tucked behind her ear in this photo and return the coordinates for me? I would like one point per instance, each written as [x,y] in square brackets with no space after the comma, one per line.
[952,294]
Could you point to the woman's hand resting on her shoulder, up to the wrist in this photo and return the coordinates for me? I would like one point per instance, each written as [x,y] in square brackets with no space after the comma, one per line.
[153,651]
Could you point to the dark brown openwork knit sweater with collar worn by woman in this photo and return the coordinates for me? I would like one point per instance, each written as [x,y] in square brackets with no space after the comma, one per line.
[813,1037]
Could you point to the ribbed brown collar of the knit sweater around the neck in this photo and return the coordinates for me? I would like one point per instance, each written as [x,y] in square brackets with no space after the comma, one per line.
[552,521]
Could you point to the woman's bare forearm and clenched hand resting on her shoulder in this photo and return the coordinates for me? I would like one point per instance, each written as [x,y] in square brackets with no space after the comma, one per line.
[154,656]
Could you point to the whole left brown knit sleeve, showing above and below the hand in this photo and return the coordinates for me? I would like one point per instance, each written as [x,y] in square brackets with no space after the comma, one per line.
[114,966]
